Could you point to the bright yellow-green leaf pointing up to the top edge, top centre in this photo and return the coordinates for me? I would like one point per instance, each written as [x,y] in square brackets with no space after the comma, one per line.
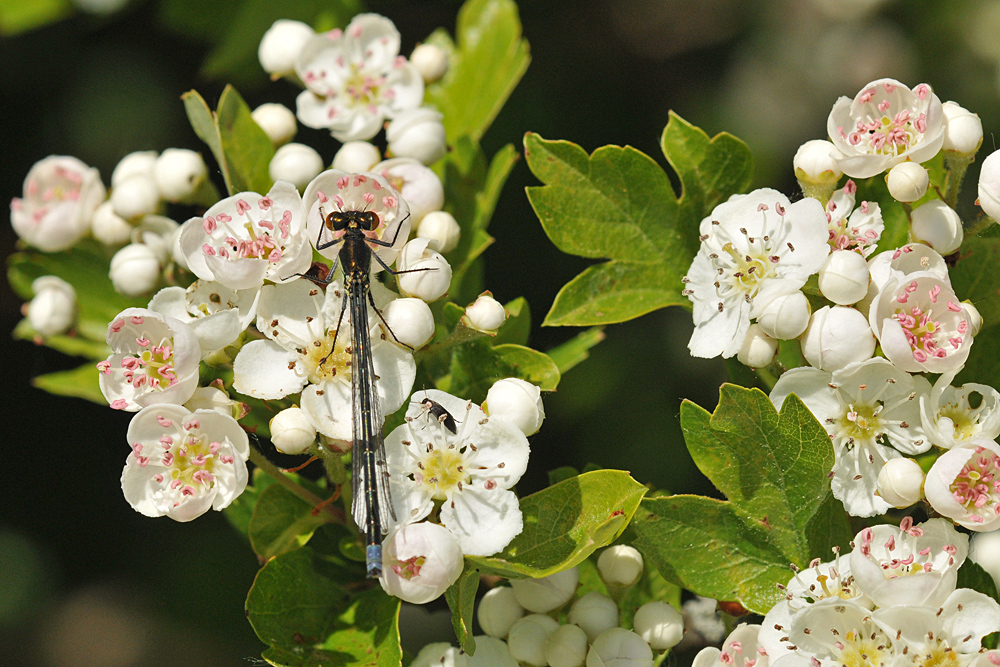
[483,68]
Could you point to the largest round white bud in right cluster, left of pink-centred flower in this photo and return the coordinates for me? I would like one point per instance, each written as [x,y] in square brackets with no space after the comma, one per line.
[836,337]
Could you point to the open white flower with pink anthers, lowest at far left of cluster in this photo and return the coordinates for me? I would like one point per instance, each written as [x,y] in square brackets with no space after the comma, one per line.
[184,462]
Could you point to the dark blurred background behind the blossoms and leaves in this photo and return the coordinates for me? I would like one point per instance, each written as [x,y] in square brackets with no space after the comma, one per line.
[84,580]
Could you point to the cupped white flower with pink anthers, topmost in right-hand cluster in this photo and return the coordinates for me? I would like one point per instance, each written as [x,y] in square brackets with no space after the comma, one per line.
[885,124]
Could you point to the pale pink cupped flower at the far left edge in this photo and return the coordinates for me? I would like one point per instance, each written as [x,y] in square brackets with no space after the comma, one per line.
[60,196]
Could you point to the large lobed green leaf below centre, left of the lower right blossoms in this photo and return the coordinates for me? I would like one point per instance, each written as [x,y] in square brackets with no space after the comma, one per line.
[773,469]
